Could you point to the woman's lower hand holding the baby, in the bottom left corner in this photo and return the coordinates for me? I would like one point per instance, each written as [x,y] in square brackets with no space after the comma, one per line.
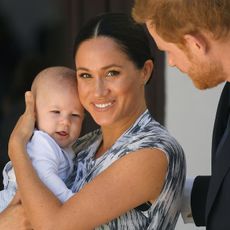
[13,217]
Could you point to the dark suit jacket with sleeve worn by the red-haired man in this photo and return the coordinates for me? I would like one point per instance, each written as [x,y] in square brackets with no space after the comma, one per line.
[210,198]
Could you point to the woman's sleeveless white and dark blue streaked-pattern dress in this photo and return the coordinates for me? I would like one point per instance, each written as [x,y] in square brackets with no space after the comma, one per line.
[144,133]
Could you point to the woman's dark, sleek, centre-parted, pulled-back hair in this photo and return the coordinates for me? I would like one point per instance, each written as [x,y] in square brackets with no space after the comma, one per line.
[130,36]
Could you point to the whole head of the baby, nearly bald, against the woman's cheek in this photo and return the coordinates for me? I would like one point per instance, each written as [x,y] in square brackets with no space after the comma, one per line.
[58,109]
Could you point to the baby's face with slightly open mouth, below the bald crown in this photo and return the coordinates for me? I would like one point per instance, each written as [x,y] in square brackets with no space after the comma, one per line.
[59,113]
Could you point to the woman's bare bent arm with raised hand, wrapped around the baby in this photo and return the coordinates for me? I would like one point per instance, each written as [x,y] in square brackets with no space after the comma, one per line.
[126,184]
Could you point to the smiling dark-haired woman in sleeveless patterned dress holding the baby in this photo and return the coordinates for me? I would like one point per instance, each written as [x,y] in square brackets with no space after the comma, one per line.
[130,173]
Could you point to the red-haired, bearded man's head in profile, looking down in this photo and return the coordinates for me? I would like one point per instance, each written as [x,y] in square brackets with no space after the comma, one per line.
[190,33]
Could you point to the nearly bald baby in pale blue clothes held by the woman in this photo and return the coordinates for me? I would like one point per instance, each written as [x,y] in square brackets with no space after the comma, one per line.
[59,116]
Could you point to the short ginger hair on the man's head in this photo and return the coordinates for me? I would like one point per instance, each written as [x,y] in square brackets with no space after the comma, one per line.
[173,19]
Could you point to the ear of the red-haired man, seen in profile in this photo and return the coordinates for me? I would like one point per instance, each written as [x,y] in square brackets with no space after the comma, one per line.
[196,43]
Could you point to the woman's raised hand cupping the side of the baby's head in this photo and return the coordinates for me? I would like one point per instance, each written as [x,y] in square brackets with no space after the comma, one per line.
[24,127]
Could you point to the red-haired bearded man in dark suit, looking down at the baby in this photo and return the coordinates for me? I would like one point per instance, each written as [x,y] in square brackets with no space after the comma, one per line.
[195,34]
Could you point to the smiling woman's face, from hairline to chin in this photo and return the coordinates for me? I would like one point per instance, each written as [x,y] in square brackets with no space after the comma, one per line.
[111,87]
